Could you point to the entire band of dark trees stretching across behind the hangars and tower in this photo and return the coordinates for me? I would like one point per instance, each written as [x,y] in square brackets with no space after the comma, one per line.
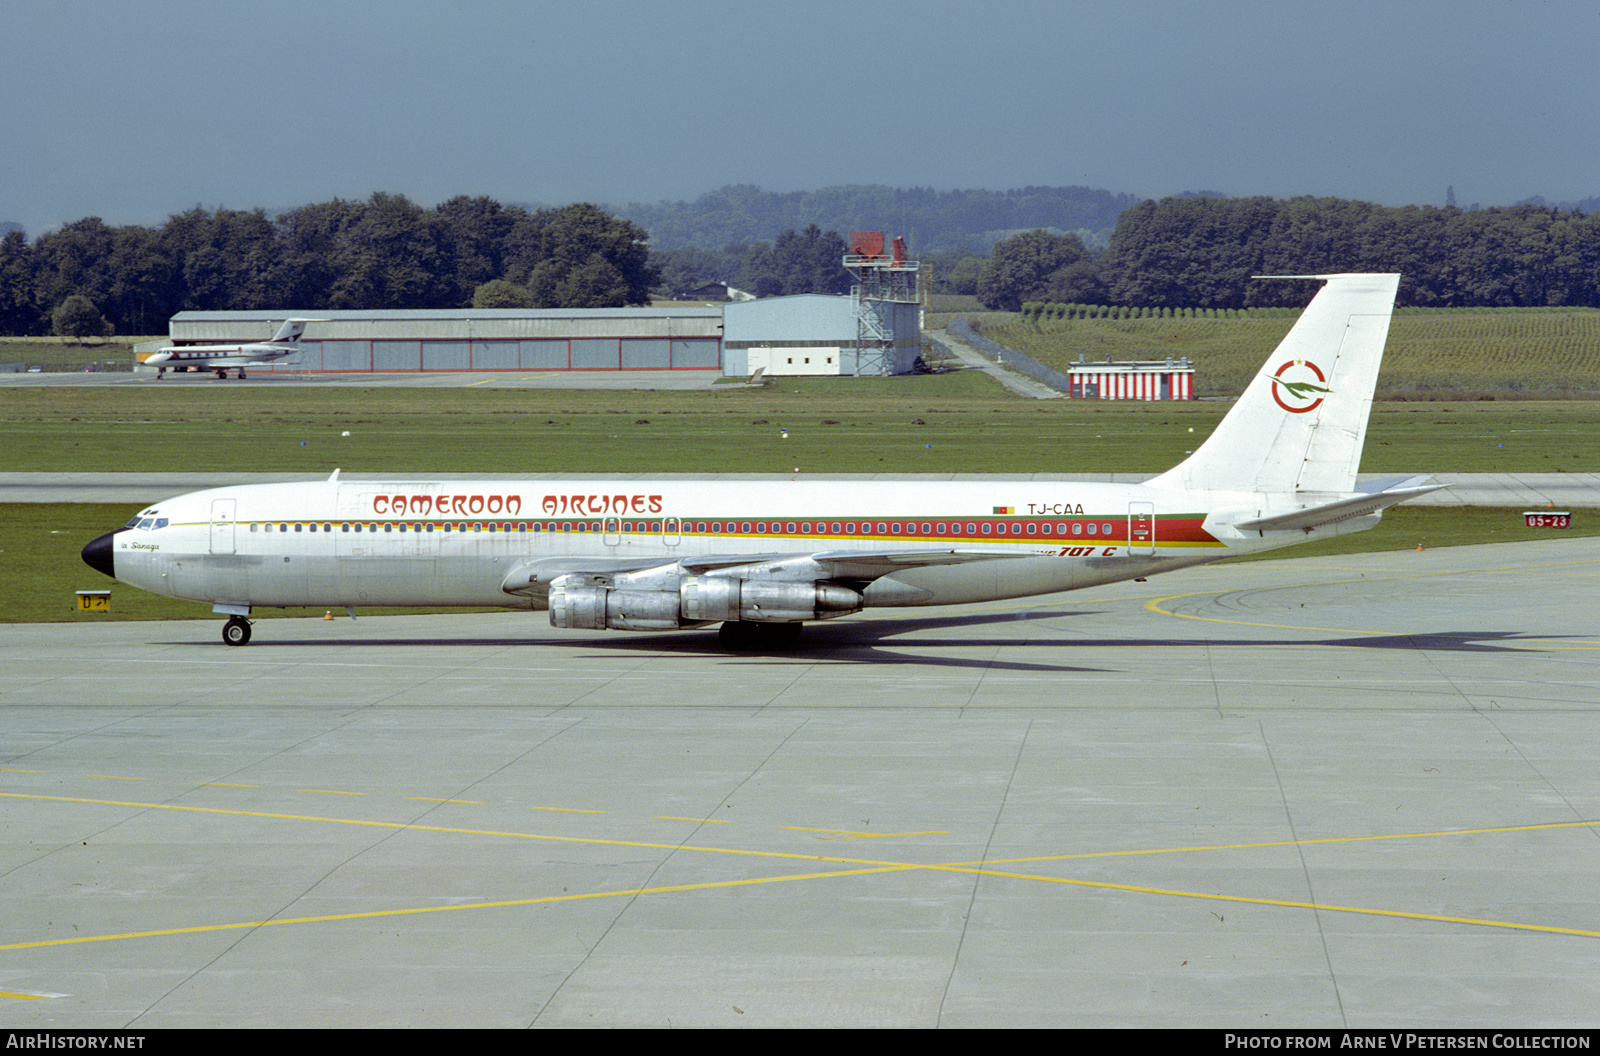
[391,254]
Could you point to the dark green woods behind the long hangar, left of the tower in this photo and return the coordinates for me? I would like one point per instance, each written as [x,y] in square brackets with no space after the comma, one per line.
[382,254]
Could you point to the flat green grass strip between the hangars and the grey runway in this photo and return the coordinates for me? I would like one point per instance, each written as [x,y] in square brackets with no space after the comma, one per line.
[940,423]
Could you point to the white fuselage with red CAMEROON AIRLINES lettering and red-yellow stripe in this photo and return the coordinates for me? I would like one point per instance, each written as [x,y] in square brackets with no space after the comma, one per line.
[354,543]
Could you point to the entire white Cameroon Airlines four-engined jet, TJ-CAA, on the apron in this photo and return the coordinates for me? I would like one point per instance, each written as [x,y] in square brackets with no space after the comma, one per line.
[764,558]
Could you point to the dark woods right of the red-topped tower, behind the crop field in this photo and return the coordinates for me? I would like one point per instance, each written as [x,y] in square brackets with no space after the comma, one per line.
[1206,252]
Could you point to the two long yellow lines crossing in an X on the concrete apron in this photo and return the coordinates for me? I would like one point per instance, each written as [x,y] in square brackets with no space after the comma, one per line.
[865,866]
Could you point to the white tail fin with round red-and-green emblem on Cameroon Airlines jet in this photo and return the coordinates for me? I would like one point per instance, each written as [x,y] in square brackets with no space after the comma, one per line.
[1302,423]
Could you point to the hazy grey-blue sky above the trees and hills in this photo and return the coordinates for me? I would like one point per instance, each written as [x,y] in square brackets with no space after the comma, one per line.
[138,111]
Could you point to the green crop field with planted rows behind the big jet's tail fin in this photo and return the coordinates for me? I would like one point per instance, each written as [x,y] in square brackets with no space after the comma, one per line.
[1431,354]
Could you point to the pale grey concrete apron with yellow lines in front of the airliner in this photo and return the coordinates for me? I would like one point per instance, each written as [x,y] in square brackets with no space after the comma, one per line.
[1326,793]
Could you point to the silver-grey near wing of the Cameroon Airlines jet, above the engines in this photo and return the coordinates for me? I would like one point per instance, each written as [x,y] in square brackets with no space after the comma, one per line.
[534,578]
